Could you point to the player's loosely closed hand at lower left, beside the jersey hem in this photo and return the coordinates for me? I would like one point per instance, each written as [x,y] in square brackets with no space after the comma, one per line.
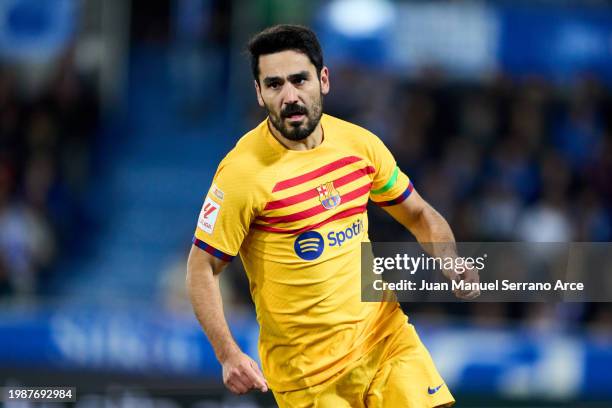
[241,374]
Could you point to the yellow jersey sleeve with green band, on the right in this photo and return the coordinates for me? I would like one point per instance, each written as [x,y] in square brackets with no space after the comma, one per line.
[390,185]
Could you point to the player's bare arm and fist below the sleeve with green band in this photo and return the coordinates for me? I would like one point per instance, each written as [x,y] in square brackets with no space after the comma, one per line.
[433,233]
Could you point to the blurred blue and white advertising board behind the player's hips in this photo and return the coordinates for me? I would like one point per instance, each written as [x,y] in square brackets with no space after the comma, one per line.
[505,361]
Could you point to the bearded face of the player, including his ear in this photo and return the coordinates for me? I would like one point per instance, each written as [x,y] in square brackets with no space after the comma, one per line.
[291,91]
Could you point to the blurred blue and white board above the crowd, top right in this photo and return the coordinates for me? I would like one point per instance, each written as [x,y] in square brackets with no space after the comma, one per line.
[470,40]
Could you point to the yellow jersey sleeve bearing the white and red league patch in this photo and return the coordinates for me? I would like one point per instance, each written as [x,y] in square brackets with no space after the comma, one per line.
[226,215]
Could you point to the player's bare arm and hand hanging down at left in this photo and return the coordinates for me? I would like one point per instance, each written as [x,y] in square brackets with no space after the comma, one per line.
[240,372]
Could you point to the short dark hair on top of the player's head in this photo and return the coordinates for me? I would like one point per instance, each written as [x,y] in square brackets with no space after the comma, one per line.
[284,37]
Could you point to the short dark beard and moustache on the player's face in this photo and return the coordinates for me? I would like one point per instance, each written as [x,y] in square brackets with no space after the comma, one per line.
[297,130]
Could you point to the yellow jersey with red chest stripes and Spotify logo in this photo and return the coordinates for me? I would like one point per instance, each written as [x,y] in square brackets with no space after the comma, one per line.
[297,219]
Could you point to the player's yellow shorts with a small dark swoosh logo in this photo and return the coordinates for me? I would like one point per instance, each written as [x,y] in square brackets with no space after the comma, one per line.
[397,372]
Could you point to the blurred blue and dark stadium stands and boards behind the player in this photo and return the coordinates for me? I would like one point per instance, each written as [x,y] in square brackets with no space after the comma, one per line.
[115,113]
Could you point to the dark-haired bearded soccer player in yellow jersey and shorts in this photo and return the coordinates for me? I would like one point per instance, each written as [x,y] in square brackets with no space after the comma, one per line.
[291,198]
